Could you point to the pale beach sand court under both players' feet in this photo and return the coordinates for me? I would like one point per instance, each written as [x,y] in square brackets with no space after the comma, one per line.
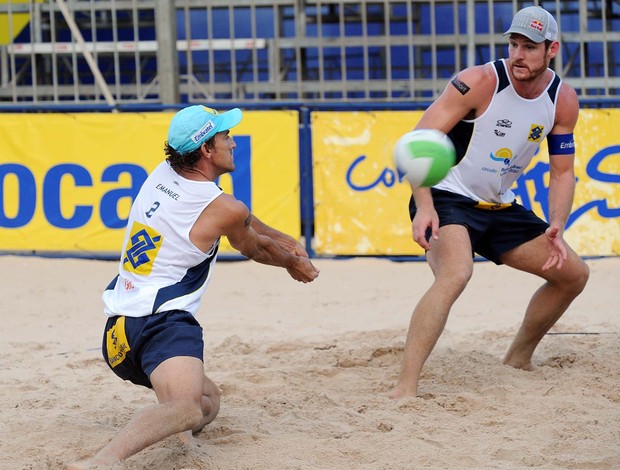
[305,371]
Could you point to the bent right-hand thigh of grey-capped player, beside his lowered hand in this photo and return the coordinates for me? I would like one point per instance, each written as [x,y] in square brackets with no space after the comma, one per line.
[532,255]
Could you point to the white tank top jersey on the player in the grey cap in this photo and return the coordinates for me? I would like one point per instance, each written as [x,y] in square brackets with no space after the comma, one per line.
[496,147]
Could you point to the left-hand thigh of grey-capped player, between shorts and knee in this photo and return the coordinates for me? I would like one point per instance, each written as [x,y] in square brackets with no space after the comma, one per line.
[451,254]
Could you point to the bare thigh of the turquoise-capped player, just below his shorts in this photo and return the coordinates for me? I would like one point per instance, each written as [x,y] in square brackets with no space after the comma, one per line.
[179,378]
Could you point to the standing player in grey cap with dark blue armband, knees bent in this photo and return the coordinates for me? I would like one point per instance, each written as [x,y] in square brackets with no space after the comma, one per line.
[497,115]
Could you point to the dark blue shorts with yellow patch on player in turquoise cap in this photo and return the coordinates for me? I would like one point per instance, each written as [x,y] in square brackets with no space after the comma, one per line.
[134,347]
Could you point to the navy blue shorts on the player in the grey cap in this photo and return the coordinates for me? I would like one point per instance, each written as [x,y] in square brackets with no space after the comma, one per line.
[492,232]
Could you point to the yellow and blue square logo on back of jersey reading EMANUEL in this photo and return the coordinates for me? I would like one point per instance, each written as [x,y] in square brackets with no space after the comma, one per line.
[142,248]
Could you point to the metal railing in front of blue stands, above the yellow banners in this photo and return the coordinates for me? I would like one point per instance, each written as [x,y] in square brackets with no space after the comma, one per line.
[307,51]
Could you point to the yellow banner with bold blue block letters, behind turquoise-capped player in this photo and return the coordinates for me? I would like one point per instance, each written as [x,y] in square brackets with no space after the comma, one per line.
[67,180]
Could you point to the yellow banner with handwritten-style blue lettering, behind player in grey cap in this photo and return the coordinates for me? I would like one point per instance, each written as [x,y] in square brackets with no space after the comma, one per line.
[362,209]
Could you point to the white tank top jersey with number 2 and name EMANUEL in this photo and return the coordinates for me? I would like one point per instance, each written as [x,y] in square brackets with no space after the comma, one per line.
[160,268]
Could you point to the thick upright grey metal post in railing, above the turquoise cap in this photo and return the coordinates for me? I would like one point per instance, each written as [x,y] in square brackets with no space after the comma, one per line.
[167,58]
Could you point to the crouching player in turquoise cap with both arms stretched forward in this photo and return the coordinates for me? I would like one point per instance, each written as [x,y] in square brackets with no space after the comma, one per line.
[151,336]
